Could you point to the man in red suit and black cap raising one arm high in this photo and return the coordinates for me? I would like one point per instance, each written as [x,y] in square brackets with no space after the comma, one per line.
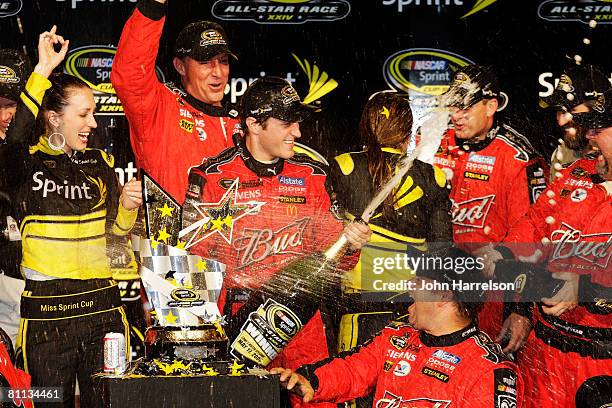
[173,128]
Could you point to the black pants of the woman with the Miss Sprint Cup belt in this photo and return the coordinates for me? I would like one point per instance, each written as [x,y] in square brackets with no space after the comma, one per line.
[55,352]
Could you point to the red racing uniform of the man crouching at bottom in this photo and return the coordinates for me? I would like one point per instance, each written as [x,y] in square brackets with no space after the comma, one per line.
[412,369]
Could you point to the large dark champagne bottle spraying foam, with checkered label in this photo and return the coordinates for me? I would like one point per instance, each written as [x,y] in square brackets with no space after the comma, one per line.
[278,310]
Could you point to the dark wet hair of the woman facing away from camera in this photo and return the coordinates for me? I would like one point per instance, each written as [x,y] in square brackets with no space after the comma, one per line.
[386,121]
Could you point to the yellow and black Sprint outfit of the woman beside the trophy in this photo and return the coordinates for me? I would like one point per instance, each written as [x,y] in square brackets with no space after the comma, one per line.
[66,205]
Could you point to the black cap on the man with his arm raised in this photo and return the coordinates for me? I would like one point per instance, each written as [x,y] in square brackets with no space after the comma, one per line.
[201,41]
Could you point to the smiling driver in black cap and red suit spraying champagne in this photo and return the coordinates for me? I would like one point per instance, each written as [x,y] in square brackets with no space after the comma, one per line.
[265,206]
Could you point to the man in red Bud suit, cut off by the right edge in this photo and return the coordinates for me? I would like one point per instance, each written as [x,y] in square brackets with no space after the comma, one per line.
[573,331]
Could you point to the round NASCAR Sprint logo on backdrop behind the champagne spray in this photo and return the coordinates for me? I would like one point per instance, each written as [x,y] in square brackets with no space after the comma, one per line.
[423,73]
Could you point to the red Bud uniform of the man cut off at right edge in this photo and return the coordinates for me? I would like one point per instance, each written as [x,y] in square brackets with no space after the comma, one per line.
[569,349]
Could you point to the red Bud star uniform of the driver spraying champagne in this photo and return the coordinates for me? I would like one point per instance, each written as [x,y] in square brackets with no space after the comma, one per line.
[276,212]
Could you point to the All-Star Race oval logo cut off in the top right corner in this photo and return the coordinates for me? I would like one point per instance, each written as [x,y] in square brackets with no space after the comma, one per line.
[583,11]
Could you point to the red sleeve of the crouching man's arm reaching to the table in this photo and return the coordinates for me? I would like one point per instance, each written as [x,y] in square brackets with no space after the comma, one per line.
[351,374]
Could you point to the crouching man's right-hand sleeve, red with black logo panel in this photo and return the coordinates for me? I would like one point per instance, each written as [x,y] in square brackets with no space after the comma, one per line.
[498,388]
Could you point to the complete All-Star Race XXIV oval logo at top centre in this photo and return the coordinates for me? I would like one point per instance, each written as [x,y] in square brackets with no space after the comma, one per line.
[281,11]
